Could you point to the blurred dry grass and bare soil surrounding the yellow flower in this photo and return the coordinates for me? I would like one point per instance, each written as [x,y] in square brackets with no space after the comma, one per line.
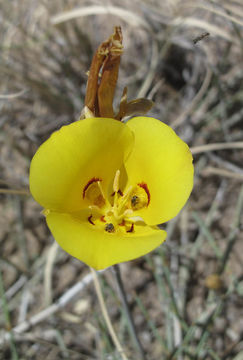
[186,296]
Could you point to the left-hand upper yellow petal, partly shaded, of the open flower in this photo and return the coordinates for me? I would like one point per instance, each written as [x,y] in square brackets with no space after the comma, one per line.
[72,156]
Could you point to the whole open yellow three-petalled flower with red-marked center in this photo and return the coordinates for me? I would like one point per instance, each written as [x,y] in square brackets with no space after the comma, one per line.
[105,185]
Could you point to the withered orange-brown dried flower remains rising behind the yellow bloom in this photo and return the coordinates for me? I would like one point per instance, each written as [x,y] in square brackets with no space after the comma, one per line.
[102,82]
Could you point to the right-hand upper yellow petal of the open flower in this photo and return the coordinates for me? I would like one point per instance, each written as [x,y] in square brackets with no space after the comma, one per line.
[163,161]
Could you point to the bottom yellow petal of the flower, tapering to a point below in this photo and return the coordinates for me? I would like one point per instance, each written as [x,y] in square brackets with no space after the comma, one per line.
[98,248]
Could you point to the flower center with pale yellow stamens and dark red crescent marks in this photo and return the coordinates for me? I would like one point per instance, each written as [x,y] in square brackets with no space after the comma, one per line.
[116,212]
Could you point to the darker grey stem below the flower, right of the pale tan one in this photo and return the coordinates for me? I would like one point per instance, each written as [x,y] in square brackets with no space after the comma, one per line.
[130,321]
